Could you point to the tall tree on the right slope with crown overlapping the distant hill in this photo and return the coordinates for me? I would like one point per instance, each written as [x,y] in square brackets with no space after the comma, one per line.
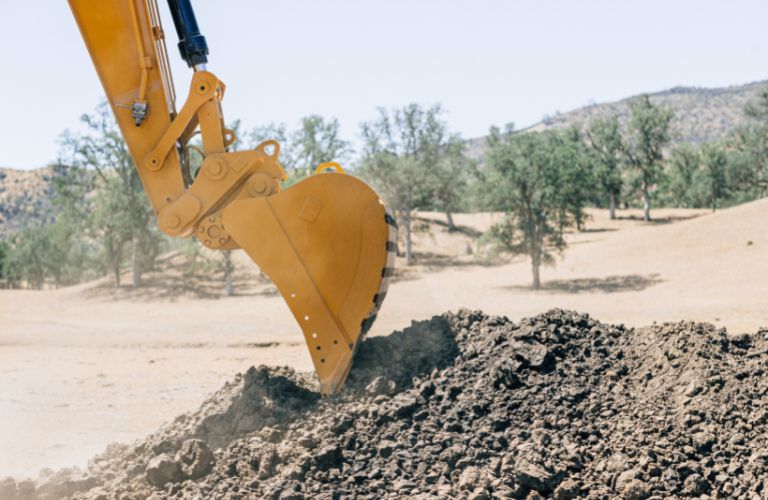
[648,134]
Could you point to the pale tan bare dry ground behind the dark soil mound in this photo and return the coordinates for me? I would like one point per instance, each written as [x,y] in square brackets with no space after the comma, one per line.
[85,366]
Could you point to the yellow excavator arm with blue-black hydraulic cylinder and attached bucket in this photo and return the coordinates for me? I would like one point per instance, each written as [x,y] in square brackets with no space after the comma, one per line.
[327,242]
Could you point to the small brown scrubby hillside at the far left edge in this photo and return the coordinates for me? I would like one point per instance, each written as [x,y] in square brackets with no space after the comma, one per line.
[24,194]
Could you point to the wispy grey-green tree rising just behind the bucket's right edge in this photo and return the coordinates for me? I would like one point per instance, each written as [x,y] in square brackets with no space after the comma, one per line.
[400,149]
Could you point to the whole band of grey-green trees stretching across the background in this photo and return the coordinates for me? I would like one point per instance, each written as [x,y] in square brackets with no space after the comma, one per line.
[541,182]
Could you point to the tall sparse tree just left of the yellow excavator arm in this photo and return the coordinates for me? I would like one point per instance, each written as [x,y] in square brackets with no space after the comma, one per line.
[121,210]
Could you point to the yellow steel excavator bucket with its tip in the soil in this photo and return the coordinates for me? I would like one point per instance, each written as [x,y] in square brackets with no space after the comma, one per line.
[329,244]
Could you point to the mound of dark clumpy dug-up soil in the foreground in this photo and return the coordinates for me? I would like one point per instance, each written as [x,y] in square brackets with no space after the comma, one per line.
[470,406]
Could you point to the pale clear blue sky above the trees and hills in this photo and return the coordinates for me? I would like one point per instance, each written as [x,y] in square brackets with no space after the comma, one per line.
[488,62]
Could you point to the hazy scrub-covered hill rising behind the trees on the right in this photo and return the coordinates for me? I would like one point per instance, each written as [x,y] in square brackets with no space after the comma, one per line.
[701,114]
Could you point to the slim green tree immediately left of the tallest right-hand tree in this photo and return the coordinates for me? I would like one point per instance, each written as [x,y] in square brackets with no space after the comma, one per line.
[604,138]
